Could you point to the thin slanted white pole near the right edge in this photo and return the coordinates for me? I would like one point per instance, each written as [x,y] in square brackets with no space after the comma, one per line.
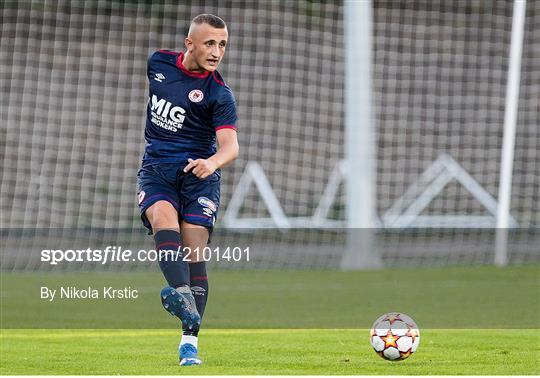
[510,119]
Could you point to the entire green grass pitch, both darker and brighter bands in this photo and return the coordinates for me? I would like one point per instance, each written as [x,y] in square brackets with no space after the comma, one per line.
[474,320]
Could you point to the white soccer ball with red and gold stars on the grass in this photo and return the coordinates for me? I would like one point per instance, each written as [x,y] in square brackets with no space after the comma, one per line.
[395,336]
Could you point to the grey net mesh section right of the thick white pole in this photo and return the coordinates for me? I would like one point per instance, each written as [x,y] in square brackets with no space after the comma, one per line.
[440,76]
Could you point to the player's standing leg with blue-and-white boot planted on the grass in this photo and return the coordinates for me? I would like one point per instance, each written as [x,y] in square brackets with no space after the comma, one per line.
[195,239]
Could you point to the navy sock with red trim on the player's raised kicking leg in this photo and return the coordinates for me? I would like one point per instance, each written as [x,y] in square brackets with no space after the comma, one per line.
[175,270]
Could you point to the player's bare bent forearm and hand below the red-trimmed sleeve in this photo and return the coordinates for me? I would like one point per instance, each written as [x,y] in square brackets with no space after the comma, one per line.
[227,152]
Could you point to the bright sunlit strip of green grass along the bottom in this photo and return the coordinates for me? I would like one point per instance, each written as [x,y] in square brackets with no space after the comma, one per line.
[239,352]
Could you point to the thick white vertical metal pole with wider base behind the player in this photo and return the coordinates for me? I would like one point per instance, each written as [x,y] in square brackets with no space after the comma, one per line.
[360,144]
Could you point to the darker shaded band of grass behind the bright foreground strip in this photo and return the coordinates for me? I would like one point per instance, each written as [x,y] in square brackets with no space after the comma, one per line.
[450,298]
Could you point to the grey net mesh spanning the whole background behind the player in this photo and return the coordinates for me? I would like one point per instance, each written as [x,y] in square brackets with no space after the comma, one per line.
[74,83]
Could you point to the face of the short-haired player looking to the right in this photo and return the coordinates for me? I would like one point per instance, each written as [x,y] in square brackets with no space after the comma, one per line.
[206,46]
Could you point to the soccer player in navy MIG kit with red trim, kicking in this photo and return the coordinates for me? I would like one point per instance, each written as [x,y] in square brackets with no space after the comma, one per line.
[189,109]
